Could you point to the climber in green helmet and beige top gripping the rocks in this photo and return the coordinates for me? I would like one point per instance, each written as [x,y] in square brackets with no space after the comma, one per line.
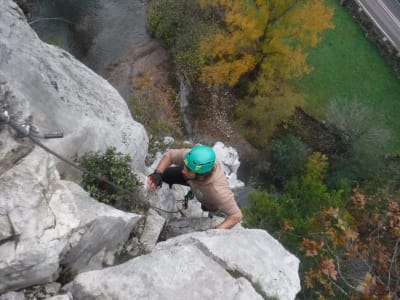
[199,169]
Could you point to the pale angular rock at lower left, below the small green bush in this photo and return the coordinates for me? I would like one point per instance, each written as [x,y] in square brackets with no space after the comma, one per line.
[51,222]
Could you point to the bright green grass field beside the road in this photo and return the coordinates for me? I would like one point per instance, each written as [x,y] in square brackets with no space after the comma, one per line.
[347,65]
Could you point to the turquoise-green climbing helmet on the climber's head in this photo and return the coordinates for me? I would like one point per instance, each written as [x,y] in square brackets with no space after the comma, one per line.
[200,159]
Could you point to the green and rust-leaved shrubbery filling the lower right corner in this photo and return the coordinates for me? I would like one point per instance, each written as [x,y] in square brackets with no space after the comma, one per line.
[348,244]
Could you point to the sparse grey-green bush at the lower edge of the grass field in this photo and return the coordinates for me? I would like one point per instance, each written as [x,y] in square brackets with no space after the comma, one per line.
[366,138]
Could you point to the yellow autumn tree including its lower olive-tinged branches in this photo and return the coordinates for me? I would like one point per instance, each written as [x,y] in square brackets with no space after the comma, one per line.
[262,44]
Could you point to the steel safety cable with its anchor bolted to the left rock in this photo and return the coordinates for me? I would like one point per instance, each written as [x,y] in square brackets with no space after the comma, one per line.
[26,131]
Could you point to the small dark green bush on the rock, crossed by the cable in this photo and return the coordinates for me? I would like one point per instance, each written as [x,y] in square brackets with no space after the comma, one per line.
[113,167]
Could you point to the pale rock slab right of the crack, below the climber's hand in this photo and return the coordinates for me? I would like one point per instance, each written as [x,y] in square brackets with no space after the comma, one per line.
[253,254]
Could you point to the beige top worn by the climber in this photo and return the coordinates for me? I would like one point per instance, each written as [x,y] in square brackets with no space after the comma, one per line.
[214,192]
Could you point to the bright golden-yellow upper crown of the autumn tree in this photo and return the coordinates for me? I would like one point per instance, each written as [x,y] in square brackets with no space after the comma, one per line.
[265,38]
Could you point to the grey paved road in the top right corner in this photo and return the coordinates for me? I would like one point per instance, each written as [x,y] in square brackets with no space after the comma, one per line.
[386,15]
